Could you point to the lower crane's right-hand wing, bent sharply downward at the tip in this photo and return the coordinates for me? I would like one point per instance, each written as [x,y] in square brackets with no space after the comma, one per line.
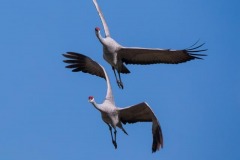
[142,113]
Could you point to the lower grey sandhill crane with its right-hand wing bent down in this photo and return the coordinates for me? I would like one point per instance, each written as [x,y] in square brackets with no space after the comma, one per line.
[114,116]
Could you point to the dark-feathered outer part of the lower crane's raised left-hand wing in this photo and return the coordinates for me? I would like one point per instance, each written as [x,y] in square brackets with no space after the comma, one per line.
[79,62]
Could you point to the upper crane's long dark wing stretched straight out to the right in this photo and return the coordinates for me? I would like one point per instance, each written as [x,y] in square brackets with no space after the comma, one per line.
[146,56]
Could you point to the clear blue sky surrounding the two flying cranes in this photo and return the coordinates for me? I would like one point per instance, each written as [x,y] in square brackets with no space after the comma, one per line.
[44,109]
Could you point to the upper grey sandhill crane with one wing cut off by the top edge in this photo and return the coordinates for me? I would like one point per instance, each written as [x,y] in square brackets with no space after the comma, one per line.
[116,55]
